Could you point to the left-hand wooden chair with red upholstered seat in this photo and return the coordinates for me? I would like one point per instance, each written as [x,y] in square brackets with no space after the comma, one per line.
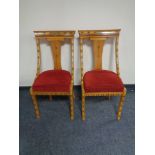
[56,81]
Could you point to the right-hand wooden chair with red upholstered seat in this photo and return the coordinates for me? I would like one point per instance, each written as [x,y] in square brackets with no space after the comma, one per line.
[100,82]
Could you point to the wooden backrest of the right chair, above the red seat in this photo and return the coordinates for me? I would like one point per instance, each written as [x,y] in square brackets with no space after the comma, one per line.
[98,38]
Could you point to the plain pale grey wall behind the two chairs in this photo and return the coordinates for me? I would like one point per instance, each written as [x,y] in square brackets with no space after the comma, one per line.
[74,15]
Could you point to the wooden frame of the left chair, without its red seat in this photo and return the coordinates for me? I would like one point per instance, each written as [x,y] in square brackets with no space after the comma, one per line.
[54,38]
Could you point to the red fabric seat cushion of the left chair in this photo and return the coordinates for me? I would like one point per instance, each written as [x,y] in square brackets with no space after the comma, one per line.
[53,81]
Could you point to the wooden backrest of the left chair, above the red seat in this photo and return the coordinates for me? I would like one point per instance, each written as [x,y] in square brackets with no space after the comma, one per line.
[55,39]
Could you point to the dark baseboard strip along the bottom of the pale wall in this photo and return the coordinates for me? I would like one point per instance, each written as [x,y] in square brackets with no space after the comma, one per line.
[129,87]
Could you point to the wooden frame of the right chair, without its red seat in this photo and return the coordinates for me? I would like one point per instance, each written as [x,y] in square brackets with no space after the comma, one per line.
[98,37]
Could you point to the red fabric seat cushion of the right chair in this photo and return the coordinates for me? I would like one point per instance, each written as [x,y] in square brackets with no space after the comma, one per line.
[102,81]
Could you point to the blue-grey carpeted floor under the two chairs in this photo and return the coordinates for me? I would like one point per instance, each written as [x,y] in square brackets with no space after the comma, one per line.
[55,134]
